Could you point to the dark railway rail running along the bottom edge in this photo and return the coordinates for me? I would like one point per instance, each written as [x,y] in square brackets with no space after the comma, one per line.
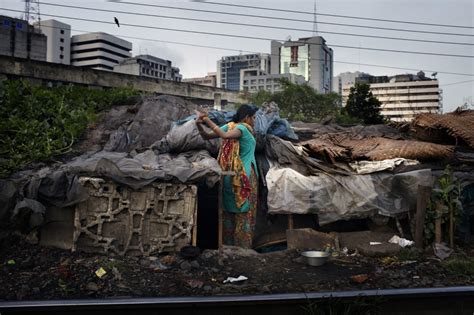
[446,300]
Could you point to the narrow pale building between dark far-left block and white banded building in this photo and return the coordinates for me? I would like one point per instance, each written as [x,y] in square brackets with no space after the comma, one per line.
[58,44]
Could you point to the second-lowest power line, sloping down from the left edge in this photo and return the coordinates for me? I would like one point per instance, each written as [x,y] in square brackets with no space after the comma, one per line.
[257,38]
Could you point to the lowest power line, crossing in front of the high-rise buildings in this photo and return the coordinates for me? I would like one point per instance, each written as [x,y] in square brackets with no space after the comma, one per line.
[254,52]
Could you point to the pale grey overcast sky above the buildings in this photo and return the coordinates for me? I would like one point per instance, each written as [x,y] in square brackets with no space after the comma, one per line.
[197,61]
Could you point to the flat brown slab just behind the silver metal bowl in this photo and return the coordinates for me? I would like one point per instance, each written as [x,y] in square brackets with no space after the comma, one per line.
[309,239]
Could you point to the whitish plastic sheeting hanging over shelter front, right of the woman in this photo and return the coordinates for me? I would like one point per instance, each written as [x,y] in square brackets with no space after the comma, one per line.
[336,197]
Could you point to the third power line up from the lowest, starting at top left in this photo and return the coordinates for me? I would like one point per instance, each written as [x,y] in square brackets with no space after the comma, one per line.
[253,25]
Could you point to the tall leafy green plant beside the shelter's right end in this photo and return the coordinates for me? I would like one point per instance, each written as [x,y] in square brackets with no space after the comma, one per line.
[445,205]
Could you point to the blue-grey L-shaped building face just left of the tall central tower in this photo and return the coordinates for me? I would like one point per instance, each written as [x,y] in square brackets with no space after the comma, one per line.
[228,68]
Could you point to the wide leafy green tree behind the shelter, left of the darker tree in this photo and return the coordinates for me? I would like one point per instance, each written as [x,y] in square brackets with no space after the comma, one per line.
[300,102]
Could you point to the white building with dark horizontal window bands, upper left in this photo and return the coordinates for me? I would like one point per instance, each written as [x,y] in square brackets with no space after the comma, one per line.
[99,50]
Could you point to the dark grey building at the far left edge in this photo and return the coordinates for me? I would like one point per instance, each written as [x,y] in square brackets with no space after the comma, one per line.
[20,39]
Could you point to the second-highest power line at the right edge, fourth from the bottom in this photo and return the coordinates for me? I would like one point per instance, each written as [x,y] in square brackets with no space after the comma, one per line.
[289,19]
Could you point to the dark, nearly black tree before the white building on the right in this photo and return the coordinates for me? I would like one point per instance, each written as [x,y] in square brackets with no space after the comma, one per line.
[364,105]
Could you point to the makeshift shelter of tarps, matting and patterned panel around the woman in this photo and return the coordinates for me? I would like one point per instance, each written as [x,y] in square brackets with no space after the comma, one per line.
[335,173]
